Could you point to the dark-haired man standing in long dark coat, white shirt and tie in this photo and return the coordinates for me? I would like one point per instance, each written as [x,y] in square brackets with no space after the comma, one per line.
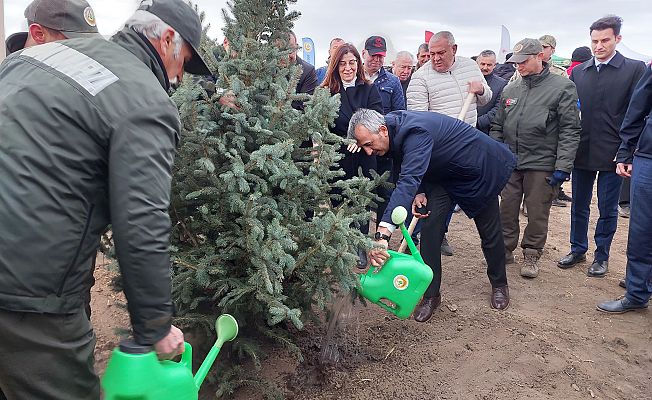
[605,84]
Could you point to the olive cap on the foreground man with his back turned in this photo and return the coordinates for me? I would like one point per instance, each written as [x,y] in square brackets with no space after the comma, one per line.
[183,19]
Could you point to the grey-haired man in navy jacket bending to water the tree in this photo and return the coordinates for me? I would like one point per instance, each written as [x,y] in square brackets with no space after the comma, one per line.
[440,160]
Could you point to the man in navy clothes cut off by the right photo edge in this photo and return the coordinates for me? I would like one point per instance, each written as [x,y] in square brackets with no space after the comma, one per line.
[634,159]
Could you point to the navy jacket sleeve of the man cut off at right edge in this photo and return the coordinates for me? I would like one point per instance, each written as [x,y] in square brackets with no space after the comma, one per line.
[634,122]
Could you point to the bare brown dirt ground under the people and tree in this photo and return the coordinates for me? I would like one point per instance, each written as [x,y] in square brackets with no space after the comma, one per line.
[551,343]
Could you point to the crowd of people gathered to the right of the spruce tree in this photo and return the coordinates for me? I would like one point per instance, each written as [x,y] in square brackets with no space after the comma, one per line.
[556,122]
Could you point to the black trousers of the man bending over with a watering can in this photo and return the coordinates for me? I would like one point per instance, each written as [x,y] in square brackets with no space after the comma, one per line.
[488,226]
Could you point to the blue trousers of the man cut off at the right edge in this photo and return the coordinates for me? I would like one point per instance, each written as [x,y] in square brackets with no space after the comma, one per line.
[639,242]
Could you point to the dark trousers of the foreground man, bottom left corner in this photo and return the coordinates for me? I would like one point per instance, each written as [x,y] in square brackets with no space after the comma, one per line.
[47,356]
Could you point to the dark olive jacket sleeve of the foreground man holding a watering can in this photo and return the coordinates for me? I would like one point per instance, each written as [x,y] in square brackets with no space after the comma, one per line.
[142,149]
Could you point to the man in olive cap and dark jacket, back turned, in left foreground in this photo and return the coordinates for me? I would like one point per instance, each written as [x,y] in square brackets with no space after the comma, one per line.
[87,138]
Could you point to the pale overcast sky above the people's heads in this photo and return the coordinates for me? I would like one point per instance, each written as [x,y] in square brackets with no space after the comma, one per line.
[475,24]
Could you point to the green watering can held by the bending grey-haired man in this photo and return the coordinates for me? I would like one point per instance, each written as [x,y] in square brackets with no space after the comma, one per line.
[400,284]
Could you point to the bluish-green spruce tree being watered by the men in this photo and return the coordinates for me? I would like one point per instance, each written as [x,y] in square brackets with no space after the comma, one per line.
[254,230]
